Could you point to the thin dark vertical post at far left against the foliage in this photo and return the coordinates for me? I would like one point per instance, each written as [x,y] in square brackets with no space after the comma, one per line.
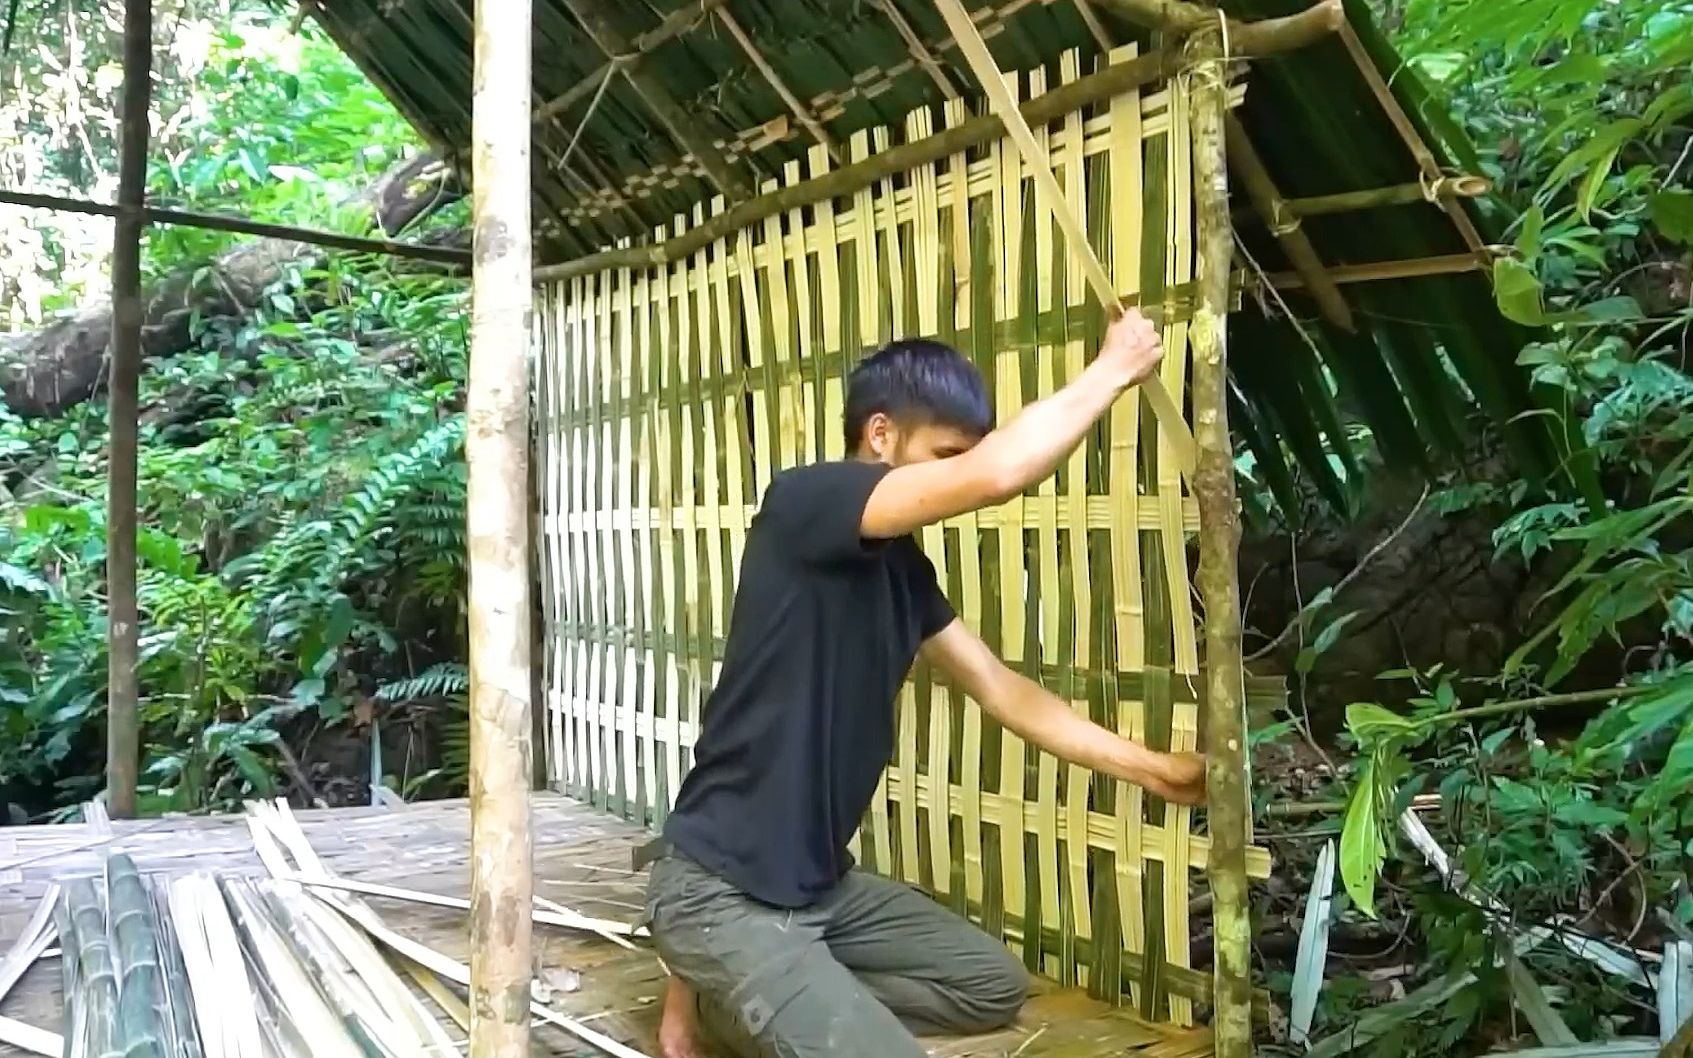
[123,636]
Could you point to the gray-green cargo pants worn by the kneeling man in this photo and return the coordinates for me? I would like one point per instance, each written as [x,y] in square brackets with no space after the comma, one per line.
[856,974]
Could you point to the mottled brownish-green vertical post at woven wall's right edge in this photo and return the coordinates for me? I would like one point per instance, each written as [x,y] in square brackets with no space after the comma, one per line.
[1220,536]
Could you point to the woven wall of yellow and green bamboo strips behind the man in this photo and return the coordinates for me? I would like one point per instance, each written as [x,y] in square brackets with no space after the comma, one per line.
[670,397]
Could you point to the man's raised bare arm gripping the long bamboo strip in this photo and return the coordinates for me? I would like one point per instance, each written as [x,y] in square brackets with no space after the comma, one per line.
[1022,453]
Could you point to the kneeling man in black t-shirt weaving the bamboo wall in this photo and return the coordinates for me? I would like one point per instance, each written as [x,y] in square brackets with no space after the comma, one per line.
[771,935]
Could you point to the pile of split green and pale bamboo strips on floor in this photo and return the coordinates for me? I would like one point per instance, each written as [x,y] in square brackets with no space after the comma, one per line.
[289,966]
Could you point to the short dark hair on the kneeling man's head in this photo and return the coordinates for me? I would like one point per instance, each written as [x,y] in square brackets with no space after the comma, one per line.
[917,383]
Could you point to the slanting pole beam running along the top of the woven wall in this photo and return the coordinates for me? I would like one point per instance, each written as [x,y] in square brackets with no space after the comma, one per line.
[847,180]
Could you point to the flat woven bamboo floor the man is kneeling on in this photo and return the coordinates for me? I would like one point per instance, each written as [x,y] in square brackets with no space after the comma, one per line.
[582,859]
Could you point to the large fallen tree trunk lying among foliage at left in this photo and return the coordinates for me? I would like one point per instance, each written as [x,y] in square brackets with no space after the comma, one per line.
[47,372]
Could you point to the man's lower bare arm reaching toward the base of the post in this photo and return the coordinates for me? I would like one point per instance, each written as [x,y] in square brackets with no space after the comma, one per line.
[1044,719]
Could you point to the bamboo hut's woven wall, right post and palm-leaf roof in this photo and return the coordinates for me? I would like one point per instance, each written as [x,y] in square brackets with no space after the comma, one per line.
[737,199]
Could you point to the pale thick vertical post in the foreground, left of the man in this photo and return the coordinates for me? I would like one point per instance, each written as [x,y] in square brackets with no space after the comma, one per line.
[497,451]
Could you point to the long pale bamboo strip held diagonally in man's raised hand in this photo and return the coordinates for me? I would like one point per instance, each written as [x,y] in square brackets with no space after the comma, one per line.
[1064,212]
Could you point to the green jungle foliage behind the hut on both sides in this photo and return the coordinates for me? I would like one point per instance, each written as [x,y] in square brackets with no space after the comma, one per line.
[1452,646]
